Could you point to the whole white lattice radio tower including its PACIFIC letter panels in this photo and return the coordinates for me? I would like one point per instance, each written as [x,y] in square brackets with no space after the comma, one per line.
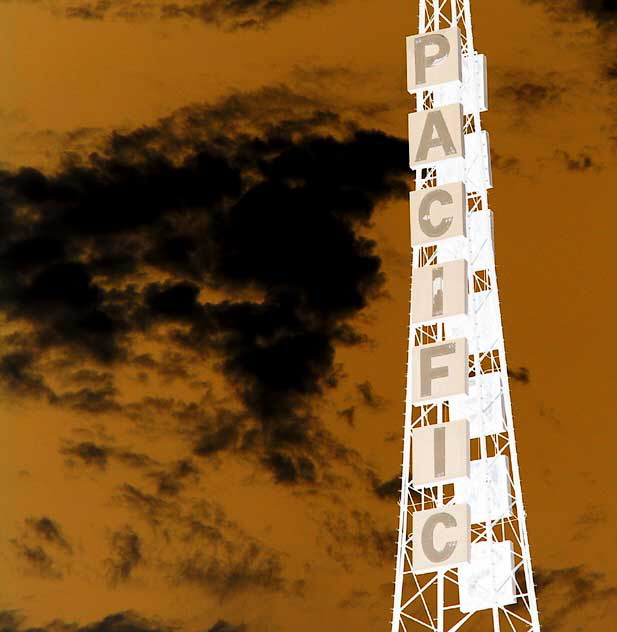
[470,569]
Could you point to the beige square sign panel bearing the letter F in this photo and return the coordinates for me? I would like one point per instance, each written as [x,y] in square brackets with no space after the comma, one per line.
[439,371]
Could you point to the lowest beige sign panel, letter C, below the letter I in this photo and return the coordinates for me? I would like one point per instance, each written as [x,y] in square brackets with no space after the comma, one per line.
[441,537]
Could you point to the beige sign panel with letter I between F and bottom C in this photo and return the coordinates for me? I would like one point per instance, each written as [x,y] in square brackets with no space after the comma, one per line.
[440,453]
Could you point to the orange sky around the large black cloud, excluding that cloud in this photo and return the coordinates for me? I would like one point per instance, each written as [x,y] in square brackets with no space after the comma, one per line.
[552,126]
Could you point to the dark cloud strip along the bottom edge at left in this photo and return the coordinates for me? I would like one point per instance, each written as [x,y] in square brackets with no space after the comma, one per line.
[13,621]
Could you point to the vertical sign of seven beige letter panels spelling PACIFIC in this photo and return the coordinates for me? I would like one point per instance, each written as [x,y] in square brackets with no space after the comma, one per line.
[440,453]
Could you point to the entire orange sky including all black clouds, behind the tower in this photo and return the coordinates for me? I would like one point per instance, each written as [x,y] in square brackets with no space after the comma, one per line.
[204,284]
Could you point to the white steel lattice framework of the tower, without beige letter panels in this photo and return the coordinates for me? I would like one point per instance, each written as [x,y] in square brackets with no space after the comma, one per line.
[431,601]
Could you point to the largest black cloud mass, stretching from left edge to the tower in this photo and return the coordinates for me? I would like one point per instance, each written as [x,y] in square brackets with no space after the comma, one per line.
[232,233]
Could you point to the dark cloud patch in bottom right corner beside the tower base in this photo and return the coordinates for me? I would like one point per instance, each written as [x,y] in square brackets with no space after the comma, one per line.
[564,591]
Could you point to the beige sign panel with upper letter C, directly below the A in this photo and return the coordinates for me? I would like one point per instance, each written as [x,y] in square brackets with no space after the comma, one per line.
[438,213]
